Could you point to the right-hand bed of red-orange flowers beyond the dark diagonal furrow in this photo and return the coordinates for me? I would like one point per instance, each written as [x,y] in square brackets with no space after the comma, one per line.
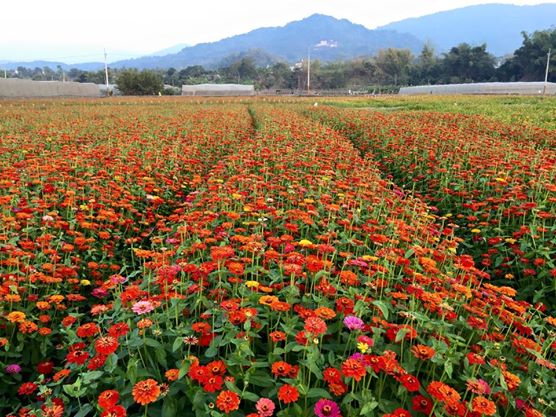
[495,182]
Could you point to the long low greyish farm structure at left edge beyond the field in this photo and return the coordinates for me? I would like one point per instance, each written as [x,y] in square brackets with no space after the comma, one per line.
[16,88]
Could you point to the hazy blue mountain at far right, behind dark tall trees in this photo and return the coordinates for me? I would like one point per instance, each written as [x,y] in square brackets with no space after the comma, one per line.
[497,25]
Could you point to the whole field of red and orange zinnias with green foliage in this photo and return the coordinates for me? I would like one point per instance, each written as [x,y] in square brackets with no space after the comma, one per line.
[219,258]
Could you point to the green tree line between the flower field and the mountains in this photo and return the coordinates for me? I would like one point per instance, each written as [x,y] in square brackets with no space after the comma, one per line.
[390,68]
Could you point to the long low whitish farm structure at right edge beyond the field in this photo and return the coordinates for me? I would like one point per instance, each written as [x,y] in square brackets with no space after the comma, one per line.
[519,88]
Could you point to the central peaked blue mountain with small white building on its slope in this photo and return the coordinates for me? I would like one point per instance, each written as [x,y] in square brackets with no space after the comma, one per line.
[326,37]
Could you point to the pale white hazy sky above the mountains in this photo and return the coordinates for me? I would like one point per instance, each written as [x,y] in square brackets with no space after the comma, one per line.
[75,31]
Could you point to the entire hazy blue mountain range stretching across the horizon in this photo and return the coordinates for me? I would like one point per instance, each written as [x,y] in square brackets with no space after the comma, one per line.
[328,39]
